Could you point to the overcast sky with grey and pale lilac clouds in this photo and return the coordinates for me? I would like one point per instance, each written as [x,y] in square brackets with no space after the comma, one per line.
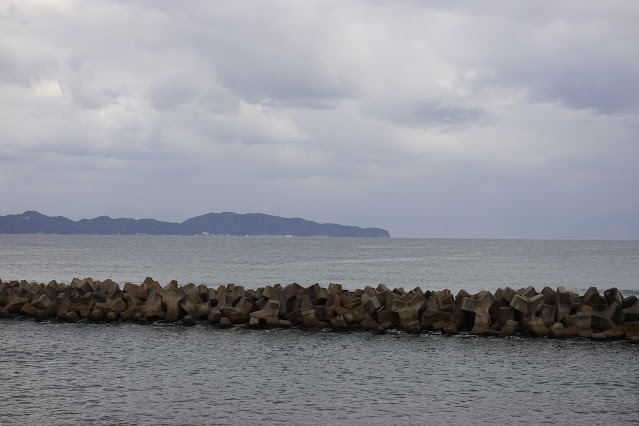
[457,119]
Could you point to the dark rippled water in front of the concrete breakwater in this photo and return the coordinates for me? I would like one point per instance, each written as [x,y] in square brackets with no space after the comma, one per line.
[131,374]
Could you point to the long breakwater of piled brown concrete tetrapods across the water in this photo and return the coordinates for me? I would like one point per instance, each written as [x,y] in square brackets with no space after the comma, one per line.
[552,313]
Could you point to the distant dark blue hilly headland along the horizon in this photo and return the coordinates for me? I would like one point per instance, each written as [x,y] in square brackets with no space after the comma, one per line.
[32,222]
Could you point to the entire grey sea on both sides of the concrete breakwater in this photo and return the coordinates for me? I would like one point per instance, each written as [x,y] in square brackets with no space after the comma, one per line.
[123,373]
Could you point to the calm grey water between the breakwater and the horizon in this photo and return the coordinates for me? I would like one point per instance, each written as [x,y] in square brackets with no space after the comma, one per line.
[433,264]
